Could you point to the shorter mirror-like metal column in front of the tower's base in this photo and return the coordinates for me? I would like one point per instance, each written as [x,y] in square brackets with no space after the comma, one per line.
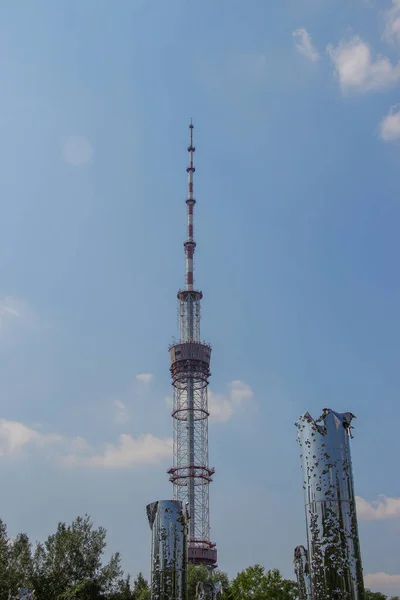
[168,523]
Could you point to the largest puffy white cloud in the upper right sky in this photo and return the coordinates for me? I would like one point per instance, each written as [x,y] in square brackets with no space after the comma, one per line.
[356,69]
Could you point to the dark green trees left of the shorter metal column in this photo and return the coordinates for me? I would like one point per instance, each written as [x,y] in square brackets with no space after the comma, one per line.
[68,566]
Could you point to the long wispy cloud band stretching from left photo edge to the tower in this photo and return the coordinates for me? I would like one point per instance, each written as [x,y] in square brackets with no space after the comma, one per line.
[16,439]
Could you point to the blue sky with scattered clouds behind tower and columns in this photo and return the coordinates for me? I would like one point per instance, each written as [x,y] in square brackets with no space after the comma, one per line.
[297,182]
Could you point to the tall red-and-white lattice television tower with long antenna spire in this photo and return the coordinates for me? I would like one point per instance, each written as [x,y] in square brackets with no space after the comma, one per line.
[190,371]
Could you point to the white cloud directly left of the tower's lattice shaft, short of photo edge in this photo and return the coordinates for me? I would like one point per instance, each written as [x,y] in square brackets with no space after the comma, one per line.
[127,453]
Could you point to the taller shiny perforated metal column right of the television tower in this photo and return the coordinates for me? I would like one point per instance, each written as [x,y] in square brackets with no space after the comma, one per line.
[332,534]
